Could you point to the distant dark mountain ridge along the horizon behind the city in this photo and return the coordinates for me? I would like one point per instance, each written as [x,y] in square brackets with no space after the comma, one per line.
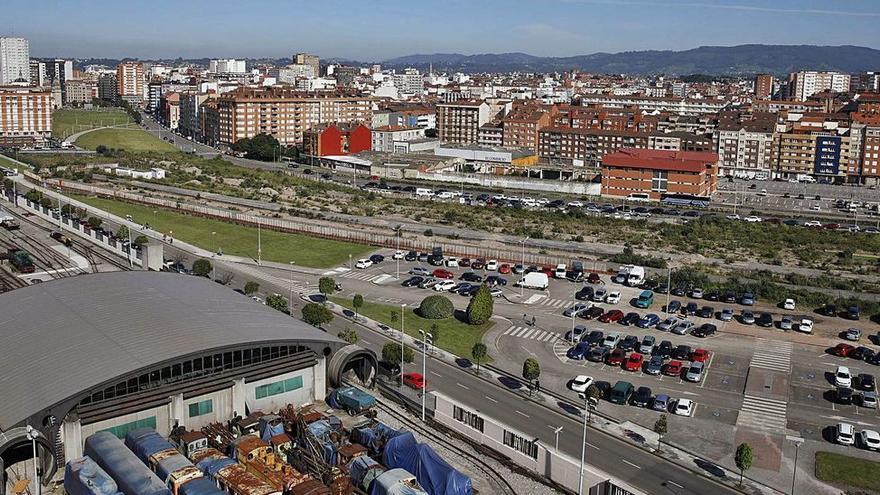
[714,60]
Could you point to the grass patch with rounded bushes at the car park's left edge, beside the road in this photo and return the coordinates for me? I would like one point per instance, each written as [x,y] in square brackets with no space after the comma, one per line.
[455,336]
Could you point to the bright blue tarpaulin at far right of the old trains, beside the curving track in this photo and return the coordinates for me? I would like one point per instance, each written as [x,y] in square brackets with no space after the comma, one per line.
[433,473]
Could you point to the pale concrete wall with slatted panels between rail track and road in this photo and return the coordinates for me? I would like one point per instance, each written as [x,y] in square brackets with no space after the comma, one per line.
[558,467]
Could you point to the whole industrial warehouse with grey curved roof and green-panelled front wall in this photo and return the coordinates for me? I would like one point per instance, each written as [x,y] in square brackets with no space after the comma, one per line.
[122,351]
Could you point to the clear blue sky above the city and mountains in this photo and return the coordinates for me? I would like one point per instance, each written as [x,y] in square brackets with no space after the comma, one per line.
[373,30]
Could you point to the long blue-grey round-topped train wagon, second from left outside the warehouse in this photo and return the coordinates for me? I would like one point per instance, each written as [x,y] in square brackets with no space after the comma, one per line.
[131,475]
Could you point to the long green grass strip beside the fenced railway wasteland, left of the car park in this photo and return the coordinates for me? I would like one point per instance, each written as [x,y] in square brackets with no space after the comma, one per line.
[236,239]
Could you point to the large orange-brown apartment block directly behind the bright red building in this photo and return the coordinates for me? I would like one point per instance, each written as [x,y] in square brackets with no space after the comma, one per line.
[286,113]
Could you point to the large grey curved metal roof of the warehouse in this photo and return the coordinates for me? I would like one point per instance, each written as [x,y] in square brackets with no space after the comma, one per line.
[63,337]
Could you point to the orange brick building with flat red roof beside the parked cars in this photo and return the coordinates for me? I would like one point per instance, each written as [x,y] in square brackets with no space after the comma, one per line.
[645,173]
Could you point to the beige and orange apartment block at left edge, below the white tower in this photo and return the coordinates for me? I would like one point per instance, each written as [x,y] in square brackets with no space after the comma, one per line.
[25,115]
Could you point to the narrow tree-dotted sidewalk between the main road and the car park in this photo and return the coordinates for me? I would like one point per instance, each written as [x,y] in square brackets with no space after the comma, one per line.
[629,432]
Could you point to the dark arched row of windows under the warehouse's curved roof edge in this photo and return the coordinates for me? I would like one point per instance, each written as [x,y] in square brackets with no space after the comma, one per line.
[192,369]
